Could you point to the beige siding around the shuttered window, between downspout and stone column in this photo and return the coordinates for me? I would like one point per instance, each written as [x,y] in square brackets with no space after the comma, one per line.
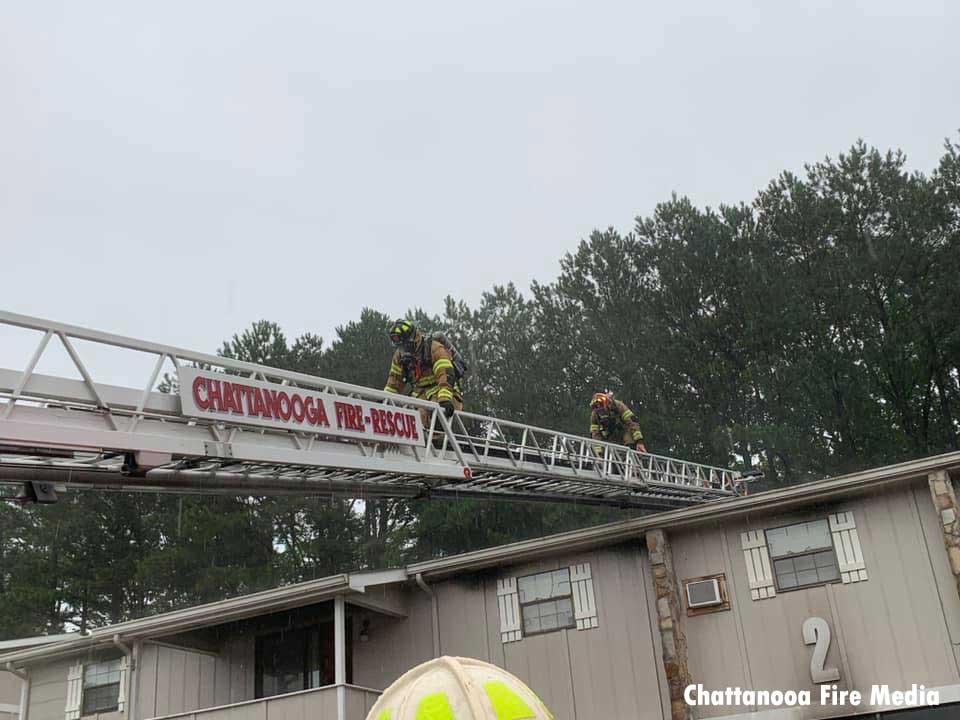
[608,671]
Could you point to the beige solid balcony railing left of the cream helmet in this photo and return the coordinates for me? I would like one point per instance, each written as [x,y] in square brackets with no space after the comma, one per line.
[316,704]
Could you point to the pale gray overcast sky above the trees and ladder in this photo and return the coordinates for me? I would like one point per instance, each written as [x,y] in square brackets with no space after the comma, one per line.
[174,171]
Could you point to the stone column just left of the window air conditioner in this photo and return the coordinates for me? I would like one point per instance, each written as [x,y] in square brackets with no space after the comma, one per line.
[672,638]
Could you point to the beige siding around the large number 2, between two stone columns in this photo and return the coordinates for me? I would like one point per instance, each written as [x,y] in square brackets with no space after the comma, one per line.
[889,629]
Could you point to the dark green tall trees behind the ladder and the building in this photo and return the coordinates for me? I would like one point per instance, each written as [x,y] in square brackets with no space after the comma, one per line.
[811,332]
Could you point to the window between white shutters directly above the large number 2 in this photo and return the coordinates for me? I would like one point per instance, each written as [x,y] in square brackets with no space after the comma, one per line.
[802,555]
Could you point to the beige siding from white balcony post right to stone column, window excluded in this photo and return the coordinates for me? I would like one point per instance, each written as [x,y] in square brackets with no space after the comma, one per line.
[608,671]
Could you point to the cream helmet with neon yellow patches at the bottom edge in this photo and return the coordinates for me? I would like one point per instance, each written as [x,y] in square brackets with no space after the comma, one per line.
[451,688]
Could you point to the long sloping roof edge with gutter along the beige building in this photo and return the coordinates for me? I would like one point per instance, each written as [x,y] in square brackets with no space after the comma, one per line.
[355,584]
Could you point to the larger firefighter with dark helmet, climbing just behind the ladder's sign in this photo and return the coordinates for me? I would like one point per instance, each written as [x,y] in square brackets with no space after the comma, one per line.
[426,365]
